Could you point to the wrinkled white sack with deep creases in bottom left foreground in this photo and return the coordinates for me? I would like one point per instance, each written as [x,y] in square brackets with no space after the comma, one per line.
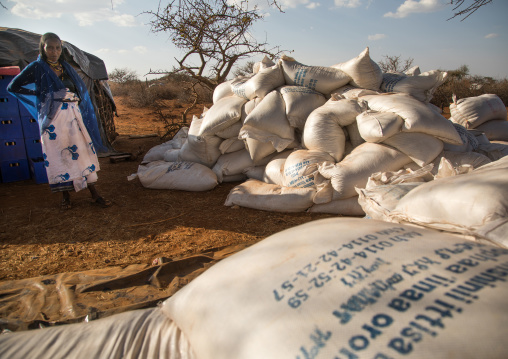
[138,334]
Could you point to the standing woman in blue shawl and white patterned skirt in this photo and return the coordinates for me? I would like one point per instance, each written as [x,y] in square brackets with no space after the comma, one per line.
[53,92]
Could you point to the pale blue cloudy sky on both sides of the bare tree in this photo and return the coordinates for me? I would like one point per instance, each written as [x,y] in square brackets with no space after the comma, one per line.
[319,32]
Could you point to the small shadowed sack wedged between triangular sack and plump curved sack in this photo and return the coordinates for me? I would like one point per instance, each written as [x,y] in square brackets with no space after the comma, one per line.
[300,102]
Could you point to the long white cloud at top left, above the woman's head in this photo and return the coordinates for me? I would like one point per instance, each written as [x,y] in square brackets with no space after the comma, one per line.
[85,12]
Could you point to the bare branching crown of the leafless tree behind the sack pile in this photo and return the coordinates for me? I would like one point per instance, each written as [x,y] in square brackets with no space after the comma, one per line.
[212,35]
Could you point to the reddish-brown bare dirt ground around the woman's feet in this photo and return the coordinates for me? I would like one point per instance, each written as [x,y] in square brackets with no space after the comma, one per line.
[37,238]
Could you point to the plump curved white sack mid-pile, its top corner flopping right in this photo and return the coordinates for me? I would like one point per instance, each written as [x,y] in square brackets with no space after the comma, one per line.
[323,130]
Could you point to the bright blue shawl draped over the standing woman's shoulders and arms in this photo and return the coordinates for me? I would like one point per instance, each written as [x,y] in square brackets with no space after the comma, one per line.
[38,88]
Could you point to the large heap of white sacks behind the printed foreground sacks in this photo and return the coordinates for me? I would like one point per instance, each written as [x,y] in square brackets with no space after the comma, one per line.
[307,138]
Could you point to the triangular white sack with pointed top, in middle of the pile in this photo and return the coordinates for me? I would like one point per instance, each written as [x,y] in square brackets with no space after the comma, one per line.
[268,123]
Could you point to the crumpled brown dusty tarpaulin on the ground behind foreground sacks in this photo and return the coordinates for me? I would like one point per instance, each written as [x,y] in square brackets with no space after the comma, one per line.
[72,297]
